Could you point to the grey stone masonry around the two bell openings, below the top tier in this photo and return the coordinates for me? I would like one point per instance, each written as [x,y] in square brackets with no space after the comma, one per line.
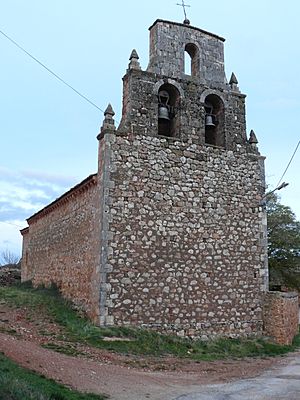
[140,109]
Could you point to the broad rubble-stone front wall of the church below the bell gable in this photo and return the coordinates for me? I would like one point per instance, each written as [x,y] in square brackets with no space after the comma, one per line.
[187,245]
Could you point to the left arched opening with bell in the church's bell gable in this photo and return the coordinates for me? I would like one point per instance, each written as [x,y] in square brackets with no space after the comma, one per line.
[168,118]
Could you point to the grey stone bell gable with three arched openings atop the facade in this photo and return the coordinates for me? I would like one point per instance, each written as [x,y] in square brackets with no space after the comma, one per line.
[198,105]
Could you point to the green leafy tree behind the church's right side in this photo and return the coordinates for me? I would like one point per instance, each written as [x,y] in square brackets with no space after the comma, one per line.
[283,245]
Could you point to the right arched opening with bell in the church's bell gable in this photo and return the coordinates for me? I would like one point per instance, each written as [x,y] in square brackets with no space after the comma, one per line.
[214,121]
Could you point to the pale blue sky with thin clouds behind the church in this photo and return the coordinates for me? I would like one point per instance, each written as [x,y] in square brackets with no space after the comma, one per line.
[48,133]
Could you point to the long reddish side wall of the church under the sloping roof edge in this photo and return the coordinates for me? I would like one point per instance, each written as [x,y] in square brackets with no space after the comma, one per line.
[62,247]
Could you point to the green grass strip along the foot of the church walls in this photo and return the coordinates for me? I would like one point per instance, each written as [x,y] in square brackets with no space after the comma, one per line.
[142,342]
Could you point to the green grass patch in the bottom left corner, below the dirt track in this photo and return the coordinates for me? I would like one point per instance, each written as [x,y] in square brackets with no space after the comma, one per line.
[18,383]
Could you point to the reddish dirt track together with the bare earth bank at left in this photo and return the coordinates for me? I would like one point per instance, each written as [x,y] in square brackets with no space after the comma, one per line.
[100,371]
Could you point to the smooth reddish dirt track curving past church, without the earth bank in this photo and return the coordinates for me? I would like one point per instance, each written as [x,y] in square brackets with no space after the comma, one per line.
[126,383]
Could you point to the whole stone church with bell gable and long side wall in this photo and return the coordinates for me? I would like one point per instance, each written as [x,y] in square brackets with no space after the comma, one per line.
[169,233]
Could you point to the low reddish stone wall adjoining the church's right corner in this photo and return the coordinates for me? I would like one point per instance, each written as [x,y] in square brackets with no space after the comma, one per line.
[281,316]
